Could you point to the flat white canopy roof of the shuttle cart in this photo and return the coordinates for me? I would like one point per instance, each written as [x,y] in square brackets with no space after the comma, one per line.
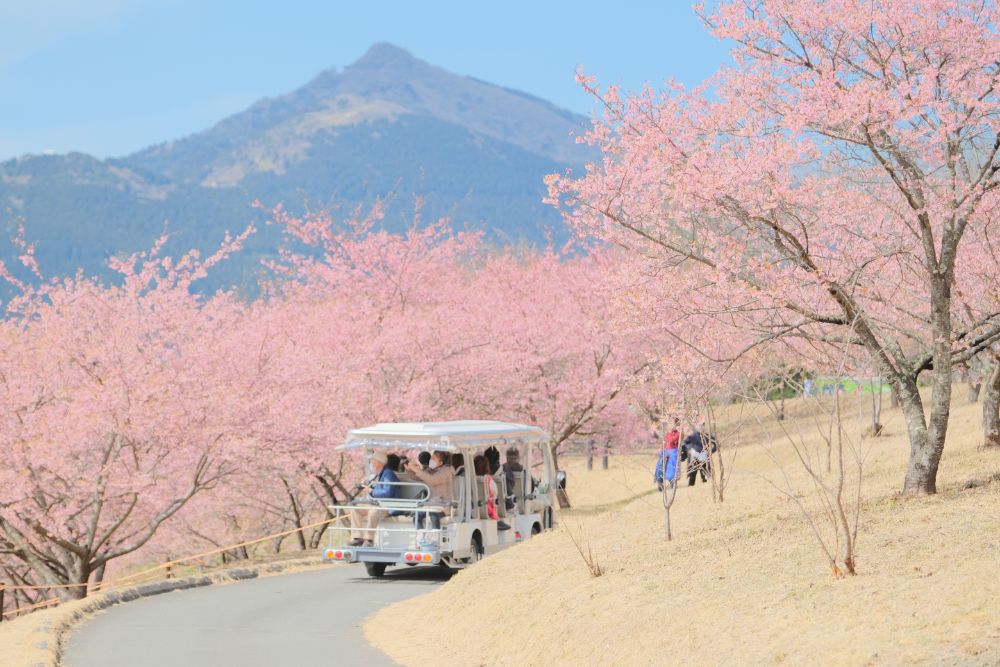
[448,436]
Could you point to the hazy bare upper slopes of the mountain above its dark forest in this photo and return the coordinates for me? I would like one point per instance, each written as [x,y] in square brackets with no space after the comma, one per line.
[386,85]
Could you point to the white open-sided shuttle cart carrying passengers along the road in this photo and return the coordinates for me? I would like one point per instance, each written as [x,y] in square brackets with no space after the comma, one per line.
[466,532]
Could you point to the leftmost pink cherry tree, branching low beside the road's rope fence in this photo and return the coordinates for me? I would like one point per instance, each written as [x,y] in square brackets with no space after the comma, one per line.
[117,411]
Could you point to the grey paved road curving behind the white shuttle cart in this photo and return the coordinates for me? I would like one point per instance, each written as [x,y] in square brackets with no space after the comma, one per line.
[305,620]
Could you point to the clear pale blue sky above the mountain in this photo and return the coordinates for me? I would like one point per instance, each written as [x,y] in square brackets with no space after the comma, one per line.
[109,77]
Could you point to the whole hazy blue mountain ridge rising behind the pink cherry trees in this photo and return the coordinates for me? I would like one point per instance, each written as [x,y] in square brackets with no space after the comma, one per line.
[389,124]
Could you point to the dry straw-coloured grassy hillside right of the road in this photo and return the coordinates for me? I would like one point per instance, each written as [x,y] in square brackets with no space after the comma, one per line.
[743,582]
